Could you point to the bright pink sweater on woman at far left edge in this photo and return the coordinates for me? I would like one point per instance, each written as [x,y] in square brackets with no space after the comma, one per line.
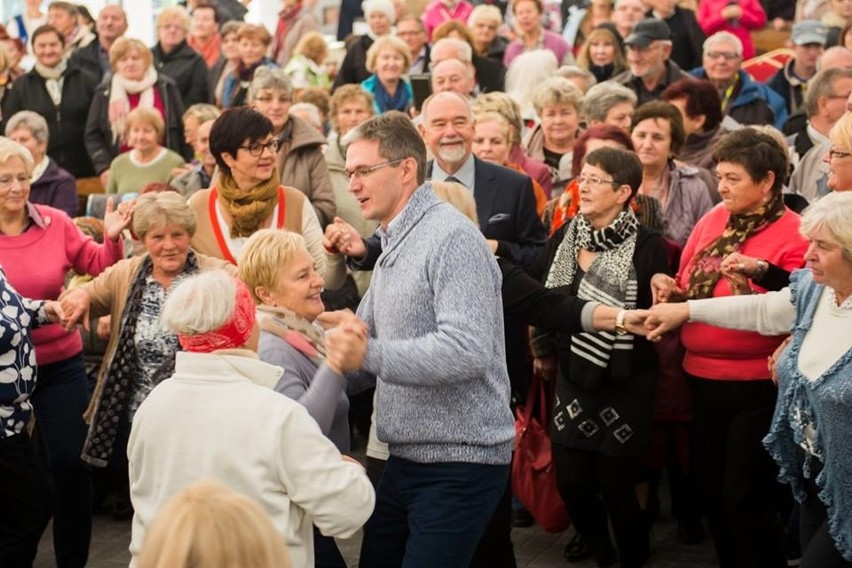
[37,261]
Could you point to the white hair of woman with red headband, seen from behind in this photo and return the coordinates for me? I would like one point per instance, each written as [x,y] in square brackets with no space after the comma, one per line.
[200,303]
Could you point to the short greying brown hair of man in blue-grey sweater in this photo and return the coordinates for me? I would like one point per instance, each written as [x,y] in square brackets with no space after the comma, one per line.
[397,138]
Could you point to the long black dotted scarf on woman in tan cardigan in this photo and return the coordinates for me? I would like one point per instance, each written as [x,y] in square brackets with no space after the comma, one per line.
[120,374]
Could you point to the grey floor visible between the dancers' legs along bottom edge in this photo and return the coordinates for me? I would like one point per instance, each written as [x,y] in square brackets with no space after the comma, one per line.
[533,548]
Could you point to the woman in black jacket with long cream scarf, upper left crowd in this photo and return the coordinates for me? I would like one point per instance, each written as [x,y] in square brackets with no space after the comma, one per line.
[134,83]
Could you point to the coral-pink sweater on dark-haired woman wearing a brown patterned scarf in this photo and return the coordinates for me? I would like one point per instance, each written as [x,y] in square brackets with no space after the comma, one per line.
[723,354]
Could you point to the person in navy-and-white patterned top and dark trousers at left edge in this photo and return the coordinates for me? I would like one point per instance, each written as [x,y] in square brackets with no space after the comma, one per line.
[24,487]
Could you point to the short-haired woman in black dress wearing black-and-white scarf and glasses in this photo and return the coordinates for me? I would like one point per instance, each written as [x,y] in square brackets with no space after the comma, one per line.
[605,382]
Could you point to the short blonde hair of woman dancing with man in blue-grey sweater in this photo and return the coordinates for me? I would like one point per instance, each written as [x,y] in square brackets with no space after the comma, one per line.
[265,252]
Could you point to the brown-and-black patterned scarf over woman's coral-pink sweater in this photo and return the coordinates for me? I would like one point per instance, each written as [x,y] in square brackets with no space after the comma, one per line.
[705,266]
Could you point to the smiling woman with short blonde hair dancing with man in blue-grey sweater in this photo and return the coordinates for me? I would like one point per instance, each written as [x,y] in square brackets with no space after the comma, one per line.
[278,270]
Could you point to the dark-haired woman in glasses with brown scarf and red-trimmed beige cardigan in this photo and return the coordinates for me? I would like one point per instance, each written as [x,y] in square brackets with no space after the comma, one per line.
[247,195]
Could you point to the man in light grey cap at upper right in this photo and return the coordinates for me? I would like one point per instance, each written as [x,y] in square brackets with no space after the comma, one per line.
[807,42]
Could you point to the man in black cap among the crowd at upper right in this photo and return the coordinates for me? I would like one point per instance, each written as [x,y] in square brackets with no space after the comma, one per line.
[649,48]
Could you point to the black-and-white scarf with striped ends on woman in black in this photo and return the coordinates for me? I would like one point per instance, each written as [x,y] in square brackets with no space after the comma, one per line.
[611,279]
